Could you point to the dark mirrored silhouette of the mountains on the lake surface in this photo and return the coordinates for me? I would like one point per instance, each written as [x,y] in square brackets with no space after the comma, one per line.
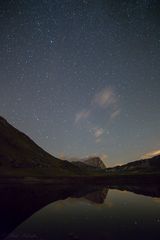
[18,202]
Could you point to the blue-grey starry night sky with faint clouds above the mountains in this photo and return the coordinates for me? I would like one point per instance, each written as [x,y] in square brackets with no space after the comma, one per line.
[82,78]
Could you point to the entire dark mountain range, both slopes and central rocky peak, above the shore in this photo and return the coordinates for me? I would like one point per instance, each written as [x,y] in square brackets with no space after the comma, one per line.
[20,156]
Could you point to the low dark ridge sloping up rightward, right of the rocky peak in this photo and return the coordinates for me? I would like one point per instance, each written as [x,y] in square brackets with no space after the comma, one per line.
[144,166]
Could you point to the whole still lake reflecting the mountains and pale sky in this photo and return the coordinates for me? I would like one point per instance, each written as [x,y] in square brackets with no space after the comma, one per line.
[34,211]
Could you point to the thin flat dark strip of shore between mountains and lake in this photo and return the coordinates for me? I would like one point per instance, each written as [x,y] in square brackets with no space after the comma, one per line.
[65,180]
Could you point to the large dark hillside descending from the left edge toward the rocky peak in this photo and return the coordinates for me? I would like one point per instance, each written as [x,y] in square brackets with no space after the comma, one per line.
[20,156]
